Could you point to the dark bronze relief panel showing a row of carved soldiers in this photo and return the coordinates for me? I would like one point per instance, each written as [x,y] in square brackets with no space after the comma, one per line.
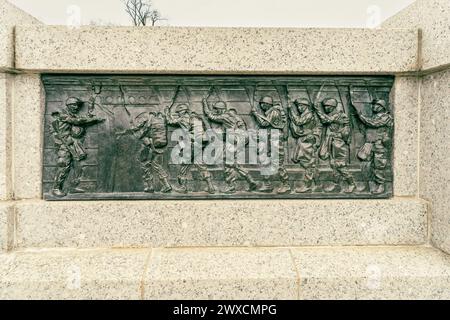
[118,137]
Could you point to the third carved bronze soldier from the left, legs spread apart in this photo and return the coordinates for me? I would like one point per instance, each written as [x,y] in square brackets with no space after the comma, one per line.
[187,120]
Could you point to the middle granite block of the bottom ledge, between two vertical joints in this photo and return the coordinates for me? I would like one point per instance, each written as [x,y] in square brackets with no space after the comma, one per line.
[221,274]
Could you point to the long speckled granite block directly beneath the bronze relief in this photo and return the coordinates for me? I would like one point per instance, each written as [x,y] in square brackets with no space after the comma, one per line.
[220,223]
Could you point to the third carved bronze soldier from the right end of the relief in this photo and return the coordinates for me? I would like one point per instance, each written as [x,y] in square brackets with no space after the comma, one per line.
[306,128]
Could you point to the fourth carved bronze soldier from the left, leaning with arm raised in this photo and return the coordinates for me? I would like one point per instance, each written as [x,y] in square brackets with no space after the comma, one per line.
[230,120]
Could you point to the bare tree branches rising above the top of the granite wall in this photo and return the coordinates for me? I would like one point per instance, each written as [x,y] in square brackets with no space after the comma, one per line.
[141,12]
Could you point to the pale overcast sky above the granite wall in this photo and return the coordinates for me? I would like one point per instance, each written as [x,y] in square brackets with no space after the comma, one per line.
[227,13]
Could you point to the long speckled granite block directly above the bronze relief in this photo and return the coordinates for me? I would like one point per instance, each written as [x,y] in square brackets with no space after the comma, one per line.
[215,50]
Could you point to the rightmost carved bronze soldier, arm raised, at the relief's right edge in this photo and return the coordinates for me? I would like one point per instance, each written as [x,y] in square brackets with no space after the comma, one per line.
[376,150]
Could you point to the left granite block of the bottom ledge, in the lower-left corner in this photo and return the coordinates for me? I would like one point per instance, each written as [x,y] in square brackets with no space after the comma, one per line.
[54,275]
